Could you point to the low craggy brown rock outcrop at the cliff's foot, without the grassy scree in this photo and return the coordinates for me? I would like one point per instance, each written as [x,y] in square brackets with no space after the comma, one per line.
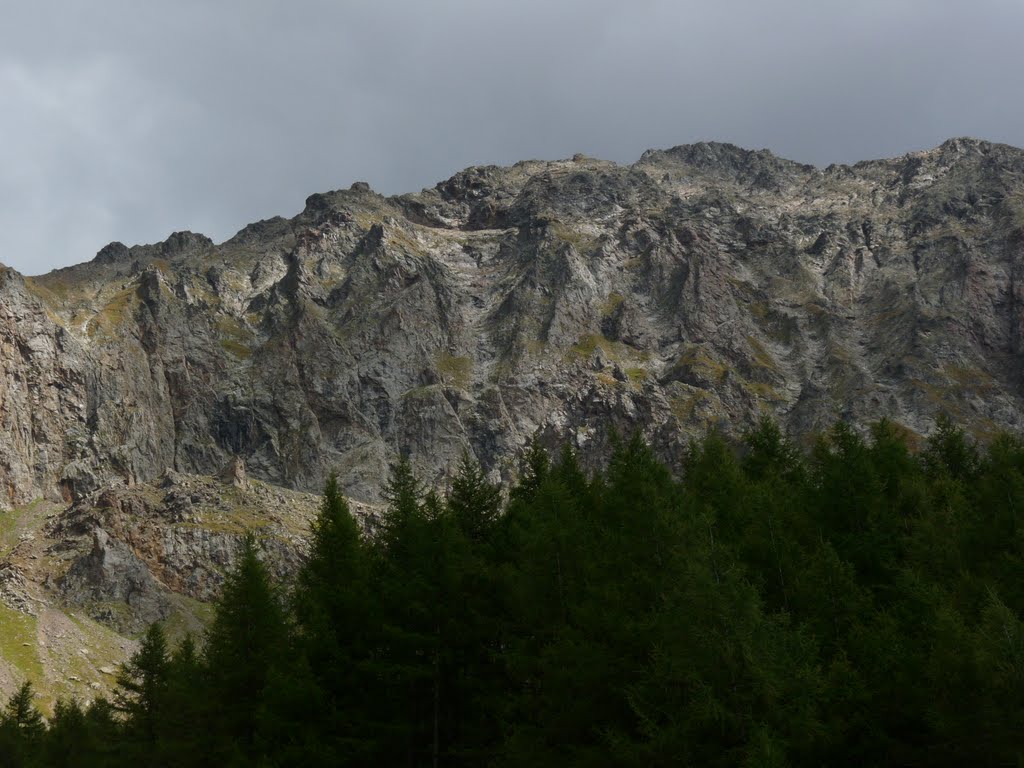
[127,556]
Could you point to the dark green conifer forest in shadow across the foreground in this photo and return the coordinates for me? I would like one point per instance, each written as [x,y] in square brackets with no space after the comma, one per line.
[859,604]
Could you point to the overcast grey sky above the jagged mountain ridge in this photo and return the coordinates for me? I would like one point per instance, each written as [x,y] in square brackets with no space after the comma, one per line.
[130,120]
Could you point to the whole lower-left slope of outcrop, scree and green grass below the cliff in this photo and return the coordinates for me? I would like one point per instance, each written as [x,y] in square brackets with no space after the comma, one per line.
[79,582]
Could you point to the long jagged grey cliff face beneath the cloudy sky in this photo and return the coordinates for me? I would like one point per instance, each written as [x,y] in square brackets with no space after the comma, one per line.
[705,285]
